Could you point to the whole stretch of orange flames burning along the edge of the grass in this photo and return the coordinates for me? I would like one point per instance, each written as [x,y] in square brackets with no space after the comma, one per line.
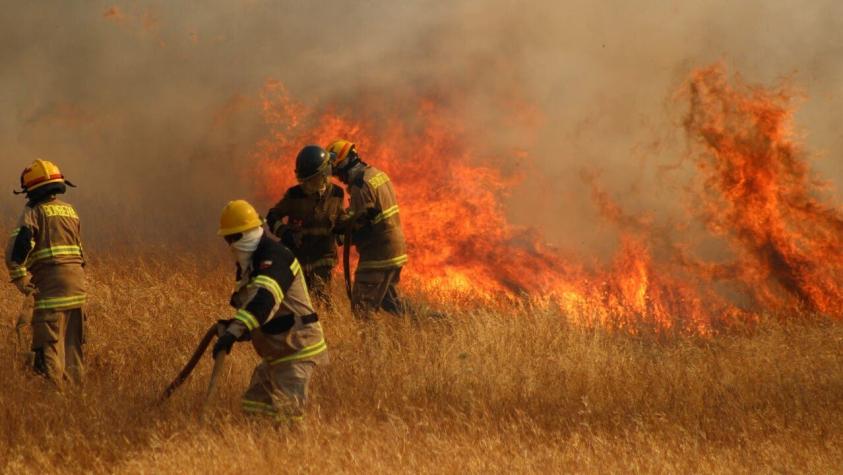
[757,197]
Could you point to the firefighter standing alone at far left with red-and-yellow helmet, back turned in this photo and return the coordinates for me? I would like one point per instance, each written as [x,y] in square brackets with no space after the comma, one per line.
[44,258]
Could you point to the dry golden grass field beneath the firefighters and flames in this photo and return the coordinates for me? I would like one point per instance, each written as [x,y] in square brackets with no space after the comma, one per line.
[510,389]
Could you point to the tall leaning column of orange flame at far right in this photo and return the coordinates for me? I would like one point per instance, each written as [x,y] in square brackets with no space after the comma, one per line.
[760,196]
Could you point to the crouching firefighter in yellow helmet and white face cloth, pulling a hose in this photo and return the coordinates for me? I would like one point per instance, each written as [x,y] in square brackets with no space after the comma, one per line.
[274,311]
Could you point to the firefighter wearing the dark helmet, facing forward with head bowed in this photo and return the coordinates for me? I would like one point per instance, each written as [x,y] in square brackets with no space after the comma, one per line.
[304,217]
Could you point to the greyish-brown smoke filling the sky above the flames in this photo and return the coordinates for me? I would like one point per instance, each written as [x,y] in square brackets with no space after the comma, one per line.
[153,109]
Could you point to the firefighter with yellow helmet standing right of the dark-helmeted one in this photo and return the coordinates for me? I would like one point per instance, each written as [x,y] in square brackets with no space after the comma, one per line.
[378,236]
